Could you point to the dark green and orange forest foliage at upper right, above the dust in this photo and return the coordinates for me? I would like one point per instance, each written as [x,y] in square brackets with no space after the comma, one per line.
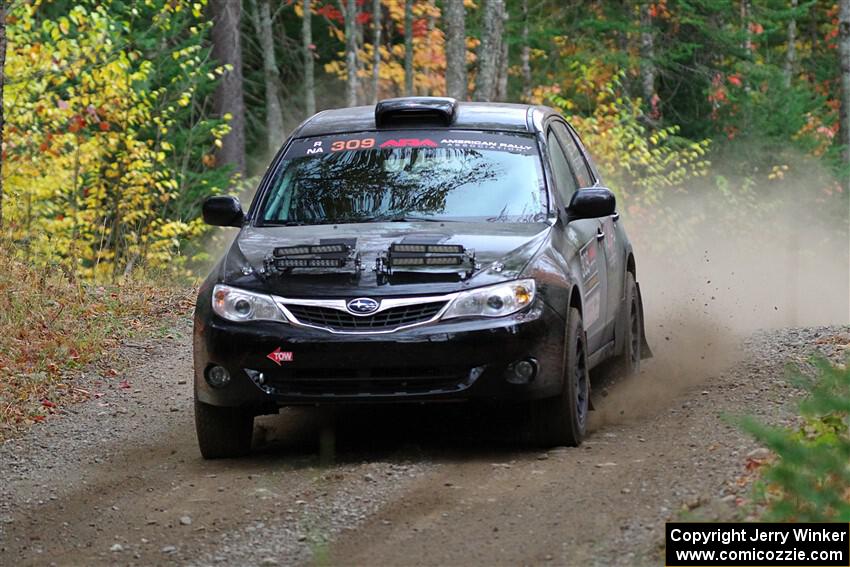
[719,75]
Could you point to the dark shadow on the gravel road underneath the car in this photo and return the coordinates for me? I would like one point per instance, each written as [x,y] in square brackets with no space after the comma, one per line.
[436,432]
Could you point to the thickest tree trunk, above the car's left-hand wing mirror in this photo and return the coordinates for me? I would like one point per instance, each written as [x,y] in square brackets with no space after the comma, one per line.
[228,98]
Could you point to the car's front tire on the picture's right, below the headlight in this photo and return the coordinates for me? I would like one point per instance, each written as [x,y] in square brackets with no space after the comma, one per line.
[562,420]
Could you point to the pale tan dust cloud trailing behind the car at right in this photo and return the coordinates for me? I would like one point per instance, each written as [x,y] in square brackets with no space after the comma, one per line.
[720,266]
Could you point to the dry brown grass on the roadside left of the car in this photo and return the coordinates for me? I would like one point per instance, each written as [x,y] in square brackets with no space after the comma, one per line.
[51,326]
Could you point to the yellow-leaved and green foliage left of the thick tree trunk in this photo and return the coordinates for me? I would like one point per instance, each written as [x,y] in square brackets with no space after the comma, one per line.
[108,140]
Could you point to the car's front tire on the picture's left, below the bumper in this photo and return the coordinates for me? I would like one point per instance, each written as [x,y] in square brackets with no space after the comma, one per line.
[223,432]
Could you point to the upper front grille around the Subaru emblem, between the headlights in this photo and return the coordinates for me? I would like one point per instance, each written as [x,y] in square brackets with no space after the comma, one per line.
[389,319]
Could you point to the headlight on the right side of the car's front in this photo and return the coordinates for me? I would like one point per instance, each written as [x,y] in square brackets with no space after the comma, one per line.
[493,301]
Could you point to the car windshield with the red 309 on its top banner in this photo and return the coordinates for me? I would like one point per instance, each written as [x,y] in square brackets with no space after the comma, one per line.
[401,176]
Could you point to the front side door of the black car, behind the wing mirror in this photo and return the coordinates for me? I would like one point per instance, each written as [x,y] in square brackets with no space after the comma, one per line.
[590,263]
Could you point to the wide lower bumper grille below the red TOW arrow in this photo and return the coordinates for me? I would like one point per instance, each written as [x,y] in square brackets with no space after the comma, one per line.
[370,381]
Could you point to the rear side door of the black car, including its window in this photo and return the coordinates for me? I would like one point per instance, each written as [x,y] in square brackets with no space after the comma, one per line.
[612,237]
